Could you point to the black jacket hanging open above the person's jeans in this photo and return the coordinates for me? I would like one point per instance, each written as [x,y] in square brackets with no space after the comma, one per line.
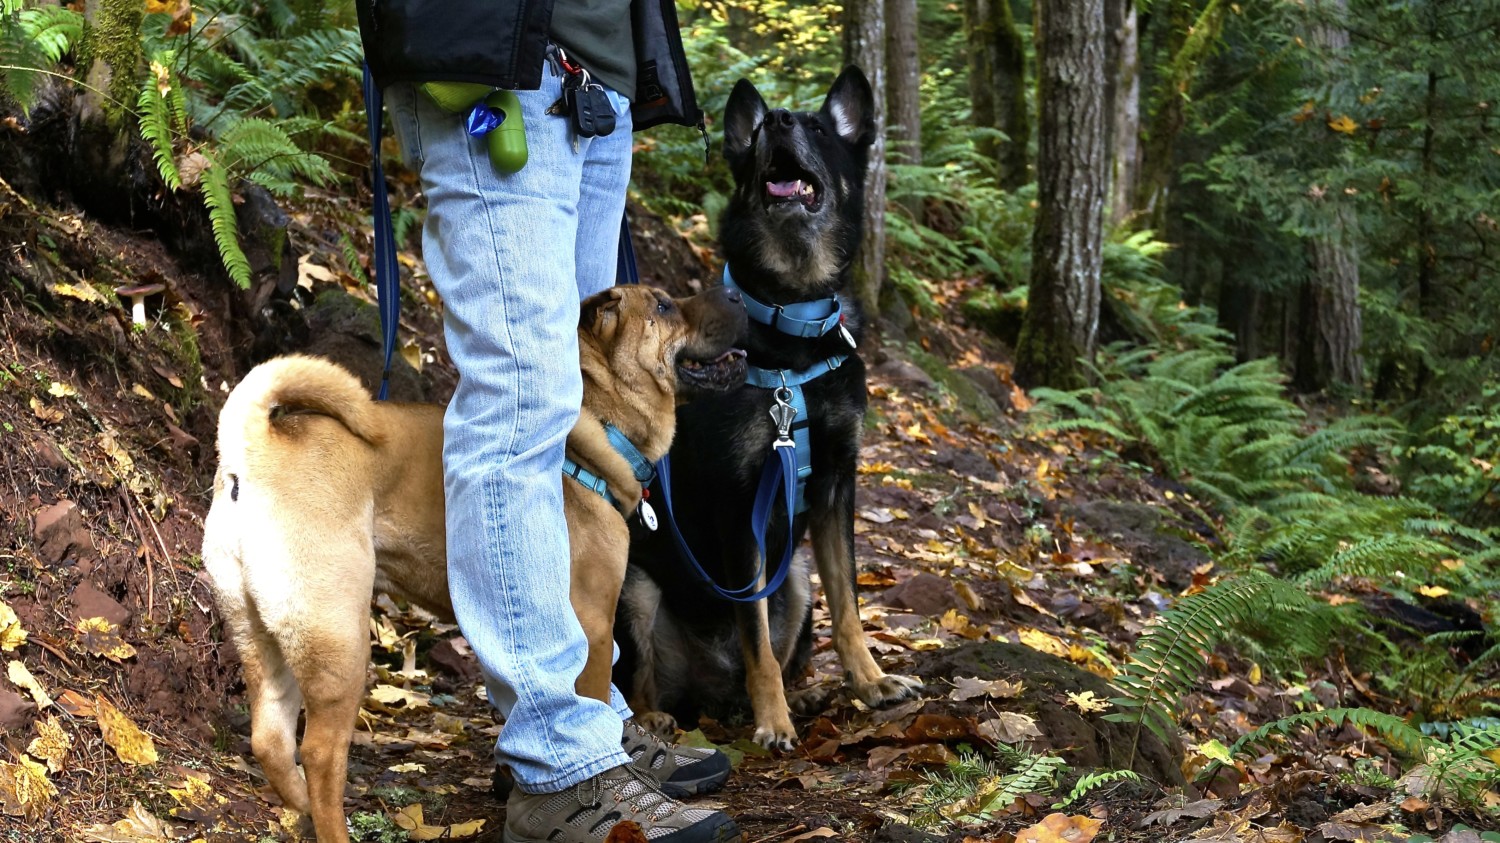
[503,44]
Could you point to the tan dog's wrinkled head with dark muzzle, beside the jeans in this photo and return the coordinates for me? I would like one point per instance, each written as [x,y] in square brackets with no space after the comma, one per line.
[692,343]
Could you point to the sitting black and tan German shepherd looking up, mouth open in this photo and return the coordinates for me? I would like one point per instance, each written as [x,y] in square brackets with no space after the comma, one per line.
[790,235]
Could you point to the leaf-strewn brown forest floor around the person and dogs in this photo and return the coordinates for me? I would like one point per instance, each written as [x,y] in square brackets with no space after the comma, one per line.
[1009,569]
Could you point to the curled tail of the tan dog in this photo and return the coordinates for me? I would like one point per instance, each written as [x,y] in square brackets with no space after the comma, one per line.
[298,383]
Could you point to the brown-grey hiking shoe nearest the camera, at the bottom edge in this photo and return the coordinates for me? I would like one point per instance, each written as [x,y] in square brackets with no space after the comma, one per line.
[586,812]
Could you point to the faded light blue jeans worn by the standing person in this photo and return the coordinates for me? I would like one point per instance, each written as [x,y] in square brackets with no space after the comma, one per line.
[512,257]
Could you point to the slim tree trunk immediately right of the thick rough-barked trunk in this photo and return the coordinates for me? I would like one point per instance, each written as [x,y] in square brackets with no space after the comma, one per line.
[1124,73]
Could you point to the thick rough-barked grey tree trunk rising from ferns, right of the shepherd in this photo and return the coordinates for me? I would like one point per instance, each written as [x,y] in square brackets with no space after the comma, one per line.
[1063,313]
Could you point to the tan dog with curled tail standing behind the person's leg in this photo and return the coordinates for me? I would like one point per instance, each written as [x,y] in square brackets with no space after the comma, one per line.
[325,497]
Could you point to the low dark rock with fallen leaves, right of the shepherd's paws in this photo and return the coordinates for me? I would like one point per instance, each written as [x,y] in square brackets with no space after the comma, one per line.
[1084,740]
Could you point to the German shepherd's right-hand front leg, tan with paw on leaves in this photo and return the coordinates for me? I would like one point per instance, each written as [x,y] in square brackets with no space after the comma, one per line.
[833,550]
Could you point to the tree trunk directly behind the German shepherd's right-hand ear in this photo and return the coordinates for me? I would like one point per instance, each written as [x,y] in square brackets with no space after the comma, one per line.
[865,46]
